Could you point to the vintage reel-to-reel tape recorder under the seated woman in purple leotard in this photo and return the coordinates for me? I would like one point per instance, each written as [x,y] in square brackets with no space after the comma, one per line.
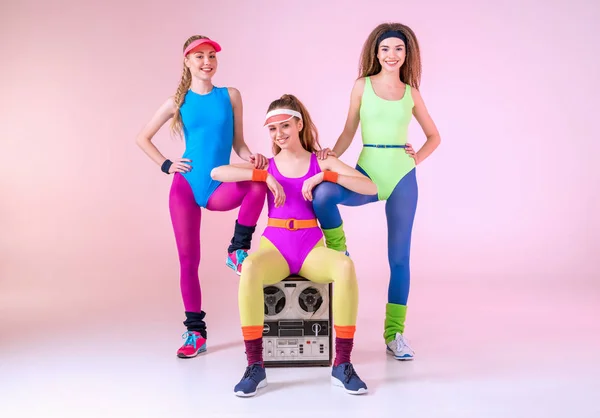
[298,328]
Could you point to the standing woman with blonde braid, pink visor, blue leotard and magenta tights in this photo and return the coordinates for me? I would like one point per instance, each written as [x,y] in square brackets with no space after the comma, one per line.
[210,120]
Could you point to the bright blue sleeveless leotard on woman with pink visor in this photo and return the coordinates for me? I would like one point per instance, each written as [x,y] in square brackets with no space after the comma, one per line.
[208,132]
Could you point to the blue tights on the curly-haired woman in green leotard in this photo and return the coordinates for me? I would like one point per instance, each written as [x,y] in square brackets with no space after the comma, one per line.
[400,211]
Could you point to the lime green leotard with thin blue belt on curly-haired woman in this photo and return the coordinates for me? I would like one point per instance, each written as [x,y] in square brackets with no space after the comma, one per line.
[385,122]
